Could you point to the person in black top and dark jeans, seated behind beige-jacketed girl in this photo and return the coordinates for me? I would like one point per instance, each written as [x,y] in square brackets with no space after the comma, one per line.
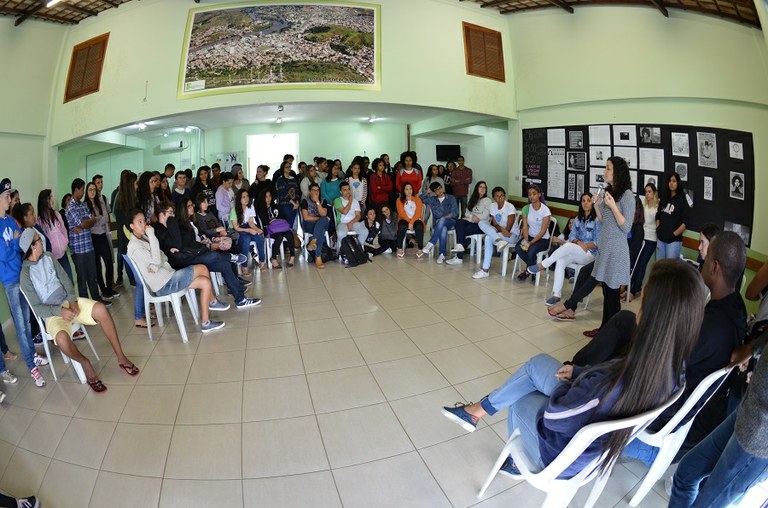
[183,250]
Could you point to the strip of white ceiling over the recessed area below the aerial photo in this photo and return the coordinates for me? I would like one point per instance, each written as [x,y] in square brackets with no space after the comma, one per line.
[292,112]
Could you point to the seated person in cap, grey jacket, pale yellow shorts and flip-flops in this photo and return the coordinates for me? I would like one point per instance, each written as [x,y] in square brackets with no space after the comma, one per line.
[53,298]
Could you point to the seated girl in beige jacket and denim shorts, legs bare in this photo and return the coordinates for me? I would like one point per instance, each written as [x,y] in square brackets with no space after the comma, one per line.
[162,279]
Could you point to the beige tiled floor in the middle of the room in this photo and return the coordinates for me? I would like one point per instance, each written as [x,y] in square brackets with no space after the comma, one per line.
[327,395]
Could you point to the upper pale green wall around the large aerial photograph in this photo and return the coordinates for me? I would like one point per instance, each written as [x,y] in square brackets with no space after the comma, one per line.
[422,40]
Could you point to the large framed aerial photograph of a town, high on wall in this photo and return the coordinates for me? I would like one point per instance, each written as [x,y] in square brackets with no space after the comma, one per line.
[260,46]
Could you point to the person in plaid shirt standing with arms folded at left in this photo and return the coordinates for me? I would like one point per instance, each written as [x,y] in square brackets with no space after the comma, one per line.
[81,244]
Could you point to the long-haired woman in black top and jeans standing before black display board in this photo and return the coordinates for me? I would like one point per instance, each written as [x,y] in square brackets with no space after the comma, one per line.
[671,219]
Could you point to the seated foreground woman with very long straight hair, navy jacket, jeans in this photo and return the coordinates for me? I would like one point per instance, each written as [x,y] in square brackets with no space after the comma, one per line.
[550,402]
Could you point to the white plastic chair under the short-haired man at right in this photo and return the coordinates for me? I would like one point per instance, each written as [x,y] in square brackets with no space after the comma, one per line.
[668,440]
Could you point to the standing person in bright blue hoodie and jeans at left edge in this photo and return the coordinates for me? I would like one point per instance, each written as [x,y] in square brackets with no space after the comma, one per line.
[10,271]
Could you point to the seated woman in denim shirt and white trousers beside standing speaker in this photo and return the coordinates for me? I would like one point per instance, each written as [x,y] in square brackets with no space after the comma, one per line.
[580,248]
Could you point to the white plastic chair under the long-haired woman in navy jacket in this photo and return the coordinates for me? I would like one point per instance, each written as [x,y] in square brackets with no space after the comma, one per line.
[561,491]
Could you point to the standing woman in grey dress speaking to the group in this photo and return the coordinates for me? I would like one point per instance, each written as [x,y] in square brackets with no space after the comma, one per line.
[615,209]
